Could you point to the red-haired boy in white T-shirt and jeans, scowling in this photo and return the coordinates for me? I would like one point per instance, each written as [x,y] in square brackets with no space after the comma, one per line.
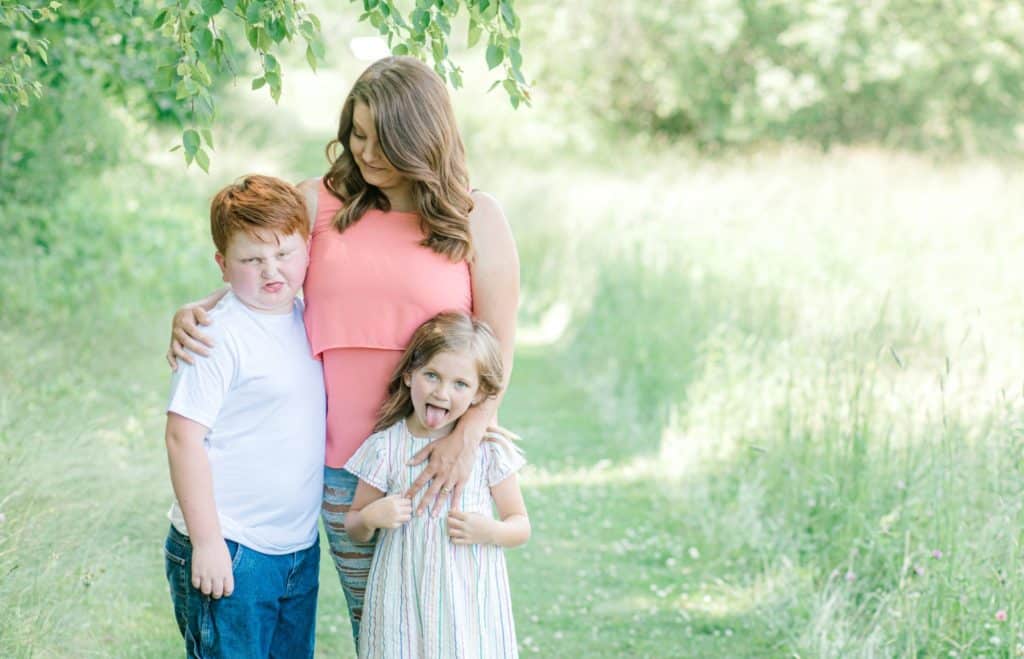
[245,442]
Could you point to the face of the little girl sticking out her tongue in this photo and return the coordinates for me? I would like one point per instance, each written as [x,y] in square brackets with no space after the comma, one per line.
[442,390]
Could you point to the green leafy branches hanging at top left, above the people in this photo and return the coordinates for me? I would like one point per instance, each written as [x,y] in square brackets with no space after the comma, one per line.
[166,57]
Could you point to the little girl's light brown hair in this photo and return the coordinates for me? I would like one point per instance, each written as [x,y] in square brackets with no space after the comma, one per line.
[448,332]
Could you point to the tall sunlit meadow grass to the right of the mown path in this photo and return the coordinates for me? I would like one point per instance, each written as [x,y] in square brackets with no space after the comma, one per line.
[821,359]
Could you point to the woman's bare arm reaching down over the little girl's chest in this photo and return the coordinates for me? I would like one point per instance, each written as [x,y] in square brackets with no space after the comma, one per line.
[496,301]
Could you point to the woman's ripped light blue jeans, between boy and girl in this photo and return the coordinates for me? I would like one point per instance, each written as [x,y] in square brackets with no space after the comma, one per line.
[352,560]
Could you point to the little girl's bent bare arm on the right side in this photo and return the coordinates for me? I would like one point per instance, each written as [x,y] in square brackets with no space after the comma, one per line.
[511,530]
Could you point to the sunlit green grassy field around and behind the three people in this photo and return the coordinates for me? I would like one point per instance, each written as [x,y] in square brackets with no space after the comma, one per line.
[773,404]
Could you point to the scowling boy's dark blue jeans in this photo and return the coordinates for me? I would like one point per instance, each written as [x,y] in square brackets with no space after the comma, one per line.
[272,612]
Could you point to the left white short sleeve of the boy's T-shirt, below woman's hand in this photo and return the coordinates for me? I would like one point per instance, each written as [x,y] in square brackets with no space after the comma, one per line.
[198,390]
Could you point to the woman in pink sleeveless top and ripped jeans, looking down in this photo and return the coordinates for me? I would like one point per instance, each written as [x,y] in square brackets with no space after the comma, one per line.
[398,238]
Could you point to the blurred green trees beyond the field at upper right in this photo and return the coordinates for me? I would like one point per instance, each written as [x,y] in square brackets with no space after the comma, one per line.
[903,73]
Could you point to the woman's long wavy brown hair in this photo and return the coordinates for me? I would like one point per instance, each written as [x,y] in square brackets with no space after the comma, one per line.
[417,133]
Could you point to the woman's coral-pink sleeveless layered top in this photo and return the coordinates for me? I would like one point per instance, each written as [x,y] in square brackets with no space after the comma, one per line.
[370,288]
